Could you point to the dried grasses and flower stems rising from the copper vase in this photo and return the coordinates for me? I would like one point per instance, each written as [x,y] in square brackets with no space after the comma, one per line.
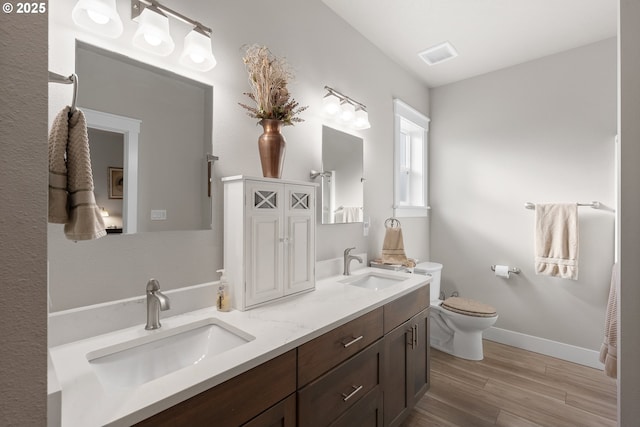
[268,77]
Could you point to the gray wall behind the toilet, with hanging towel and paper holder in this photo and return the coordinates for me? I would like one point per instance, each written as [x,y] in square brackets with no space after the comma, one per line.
[542,131]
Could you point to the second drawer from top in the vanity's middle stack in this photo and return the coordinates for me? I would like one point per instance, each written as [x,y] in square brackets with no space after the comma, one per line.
[325,399]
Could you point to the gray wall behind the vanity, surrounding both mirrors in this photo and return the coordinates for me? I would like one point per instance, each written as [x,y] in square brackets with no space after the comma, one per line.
[324,50]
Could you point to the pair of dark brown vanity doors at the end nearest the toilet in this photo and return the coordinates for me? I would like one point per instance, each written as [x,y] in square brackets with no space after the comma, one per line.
[406,363]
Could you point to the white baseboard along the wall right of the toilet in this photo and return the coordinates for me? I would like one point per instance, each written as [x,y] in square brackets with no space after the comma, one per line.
[556,349]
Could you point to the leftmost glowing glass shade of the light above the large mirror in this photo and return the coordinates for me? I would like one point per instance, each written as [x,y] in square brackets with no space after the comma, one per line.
[98,16]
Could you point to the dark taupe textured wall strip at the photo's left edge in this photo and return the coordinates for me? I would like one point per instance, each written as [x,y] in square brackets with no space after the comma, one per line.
[23,210]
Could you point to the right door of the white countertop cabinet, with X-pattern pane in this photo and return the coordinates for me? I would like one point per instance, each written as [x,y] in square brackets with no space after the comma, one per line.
[300,238]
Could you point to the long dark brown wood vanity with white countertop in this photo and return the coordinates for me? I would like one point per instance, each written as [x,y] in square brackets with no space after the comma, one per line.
[343,355]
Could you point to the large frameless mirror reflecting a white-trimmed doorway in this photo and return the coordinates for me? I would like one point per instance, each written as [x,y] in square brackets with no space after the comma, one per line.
[154,179]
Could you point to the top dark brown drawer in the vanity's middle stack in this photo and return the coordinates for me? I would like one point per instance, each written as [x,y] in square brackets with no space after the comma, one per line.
[327,351]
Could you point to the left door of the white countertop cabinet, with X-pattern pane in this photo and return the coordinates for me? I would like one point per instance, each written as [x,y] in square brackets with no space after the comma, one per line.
[265,242]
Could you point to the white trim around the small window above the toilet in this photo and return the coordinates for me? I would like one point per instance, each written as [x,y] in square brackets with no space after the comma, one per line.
[403,110]
